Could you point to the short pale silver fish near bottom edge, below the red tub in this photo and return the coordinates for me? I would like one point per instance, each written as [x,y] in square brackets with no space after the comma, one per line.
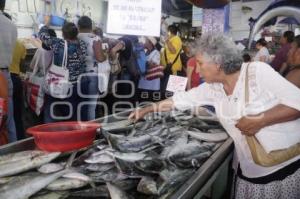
[63,184]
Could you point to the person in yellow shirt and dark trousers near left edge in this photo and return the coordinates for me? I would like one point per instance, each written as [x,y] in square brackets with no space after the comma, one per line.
[18,58]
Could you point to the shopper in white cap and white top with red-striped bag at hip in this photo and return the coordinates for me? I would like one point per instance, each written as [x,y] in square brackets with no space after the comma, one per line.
[149,88]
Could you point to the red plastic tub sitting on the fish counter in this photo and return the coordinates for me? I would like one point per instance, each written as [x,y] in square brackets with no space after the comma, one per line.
[64,136]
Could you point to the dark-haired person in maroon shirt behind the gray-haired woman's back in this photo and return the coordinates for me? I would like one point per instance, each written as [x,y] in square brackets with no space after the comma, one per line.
[282,54]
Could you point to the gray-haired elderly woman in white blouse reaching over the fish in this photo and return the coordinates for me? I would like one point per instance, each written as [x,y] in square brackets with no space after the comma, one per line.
[275,99]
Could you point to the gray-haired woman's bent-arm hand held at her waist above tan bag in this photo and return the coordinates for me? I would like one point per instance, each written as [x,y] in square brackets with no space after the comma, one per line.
[250,125]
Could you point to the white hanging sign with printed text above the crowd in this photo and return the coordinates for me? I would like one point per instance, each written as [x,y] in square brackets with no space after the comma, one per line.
[134,17]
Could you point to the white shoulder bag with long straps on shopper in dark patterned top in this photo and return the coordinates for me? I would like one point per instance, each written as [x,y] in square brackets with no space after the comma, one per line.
[57,78]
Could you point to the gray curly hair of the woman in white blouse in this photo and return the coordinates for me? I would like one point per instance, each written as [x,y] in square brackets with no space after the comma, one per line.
[220,50]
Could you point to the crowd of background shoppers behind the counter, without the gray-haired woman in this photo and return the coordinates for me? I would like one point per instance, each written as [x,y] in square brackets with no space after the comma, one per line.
[102,69]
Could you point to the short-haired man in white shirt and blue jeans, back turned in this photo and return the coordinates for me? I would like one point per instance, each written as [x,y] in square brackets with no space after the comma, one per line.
[95,54]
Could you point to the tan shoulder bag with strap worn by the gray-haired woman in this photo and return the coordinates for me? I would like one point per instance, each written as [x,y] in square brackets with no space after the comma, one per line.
[259,154]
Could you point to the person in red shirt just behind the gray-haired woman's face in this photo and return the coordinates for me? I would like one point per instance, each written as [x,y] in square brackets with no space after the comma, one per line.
[193,75]
